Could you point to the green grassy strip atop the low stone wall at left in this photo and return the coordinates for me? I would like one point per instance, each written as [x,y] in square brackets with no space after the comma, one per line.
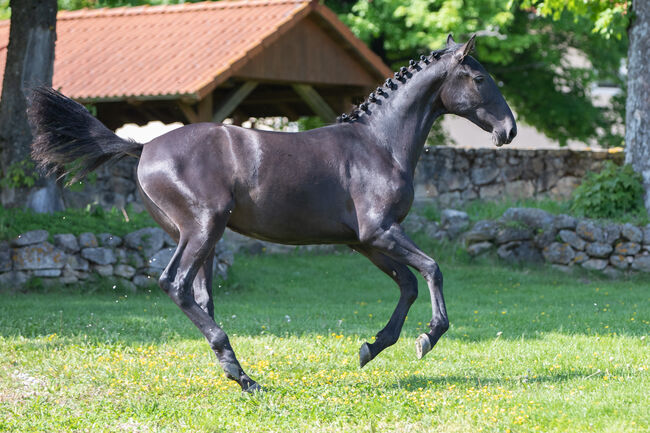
[96,220]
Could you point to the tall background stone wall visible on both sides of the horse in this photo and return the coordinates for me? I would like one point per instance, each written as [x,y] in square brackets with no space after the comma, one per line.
[448,175]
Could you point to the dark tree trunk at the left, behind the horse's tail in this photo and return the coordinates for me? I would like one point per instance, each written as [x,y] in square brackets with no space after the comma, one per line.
[30,62]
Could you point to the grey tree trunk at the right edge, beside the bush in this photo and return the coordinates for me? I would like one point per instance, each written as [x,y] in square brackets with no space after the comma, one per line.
[637,107]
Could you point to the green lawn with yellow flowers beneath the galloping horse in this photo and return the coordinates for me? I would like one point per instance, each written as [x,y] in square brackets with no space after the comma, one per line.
[527,351]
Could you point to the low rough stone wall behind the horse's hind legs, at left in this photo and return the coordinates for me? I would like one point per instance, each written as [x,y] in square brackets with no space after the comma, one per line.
[136,260]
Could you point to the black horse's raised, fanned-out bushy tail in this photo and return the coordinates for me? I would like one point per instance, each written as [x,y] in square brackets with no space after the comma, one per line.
[68,139]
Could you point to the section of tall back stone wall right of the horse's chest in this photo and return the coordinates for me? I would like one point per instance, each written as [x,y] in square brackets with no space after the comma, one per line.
[451,176]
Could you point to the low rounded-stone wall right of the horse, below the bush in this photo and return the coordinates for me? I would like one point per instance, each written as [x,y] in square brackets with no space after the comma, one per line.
[529,235]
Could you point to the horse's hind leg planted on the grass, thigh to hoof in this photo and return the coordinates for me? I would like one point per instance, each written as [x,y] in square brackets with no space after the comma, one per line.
[194,247]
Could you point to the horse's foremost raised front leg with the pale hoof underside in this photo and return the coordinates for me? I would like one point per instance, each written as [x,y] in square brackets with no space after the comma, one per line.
[395,244]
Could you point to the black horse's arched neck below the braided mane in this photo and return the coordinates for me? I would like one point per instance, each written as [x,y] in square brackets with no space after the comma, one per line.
[404,119]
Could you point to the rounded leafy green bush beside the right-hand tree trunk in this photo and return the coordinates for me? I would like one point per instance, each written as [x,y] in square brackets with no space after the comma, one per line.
[615,191]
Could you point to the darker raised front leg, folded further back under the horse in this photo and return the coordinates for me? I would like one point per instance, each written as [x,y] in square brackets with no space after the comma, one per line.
[408,286]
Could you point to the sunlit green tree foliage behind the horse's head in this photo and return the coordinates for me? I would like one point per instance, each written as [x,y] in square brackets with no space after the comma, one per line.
[526,53]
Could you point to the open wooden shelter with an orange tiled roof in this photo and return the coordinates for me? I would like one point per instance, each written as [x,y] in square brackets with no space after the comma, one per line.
[208,61]
